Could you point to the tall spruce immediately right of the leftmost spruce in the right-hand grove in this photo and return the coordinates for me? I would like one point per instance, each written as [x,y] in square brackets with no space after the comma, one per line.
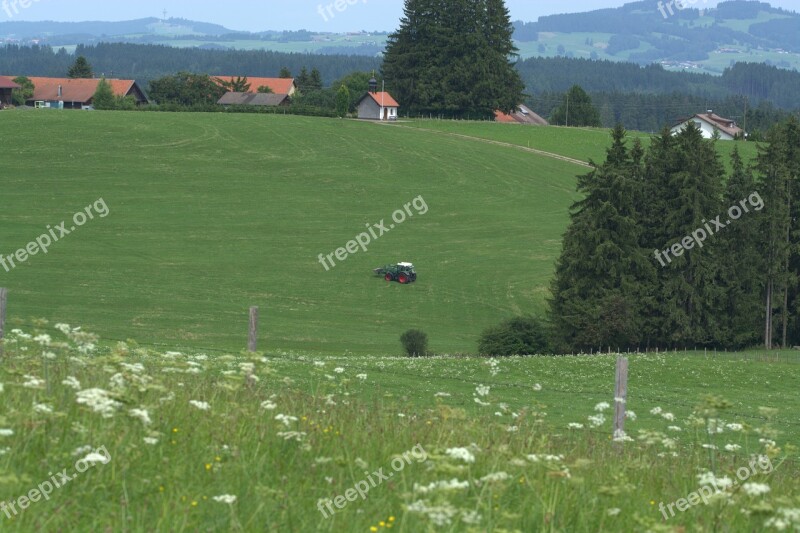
[689,174]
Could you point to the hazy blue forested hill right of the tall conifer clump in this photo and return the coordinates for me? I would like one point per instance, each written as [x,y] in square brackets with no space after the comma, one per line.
[656,32]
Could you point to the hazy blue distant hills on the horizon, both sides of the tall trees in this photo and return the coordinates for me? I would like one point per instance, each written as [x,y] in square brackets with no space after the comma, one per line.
[642,32]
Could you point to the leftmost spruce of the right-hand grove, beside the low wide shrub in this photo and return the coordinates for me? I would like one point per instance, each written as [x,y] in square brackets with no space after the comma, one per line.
[599,296]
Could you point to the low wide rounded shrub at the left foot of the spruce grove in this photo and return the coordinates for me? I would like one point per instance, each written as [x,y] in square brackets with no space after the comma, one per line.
[518,336]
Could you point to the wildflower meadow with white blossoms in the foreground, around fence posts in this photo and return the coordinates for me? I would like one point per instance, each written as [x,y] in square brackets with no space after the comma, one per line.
[163,441]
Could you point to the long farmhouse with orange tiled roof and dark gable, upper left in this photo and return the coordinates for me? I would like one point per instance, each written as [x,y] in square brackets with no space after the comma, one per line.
[66,93]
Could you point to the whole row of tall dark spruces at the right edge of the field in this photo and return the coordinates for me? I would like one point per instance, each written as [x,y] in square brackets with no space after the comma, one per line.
[622,282]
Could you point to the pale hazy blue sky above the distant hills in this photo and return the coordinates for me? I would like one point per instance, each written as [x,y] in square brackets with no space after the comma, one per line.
[254,15]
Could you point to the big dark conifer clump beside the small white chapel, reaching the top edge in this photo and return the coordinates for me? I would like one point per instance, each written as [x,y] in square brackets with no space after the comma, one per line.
[454,58]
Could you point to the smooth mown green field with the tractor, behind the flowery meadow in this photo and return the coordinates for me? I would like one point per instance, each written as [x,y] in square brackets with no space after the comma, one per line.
[211,214]
